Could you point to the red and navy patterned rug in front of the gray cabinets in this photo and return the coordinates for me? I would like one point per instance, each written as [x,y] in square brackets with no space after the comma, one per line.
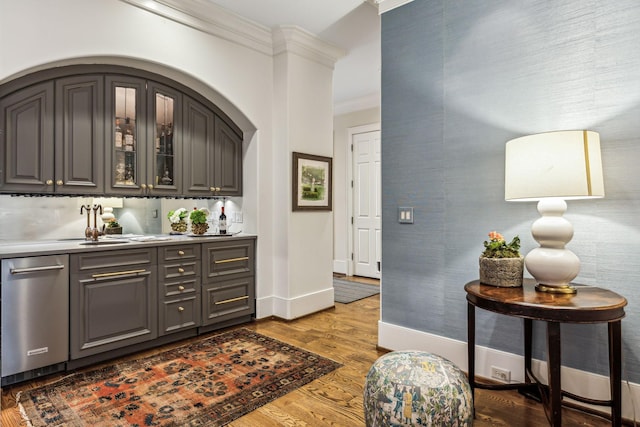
[207,383]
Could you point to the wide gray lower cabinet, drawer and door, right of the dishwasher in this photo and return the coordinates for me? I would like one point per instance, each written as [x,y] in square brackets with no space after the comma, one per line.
[113,300]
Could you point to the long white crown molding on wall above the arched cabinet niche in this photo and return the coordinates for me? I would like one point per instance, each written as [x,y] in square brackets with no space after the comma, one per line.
[211,19]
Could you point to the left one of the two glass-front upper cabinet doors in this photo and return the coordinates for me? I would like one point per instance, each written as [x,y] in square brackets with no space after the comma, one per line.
[127,141]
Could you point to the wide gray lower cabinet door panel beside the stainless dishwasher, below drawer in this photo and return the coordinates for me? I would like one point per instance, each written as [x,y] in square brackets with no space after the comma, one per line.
[113,311]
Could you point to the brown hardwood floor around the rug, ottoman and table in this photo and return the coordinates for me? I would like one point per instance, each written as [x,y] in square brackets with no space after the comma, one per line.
[347,334]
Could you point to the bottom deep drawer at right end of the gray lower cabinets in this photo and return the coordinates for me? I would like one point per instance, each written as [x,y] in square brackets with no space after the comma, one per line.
[227,300]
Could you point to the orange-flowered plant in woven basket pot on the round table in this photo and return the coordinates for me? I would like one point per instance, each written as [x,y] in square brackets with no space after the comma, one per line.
[501,263]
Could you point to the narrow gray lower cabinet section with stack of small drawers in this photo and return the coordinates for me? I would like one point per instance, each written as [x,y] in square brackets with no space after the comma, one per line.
[179,288]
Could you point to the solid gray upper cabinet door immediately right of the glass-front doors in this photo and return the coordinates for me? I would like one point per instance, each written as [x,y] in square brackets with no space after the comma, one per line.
[198,136]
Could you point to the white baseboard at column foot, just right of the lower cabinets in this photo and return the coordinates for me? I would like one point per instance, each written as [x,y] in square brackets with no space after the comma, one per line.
[293,308]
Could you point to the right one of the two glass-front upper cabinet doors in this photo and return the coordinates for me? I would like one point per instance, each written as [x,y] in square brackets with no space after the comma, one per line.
[165,130]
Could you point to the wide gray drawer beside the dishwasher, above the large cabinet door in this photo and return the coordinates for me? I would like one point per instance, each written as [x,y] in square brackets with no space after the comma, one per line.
[89,262]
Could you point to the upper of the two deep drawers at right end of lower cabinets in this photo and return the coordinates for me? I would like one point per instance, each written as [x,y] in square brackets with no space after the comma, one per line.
[224,259]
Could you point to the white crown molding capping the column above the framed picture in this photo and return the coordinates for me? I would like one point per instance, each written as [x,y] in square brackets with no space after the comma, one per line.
[291,38]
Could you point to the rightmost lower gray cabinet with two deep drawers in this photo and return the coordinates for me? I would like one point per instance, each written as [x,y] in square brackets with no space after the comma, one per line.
[228,289]
